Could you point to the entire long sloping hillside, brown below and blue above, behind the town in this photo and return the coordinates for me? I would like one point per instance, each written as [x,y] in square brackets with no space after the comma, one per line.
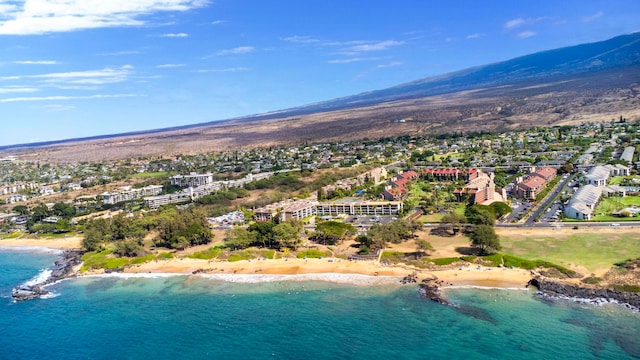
[589,82]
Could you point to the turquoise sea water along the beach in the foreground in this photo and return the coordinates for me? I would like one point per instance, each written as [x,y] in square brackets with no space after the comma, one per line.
[195,318]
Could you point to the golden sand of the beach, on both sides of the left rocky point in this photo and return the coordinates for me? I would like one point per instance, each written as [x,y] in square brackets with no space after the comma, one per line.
[321,268]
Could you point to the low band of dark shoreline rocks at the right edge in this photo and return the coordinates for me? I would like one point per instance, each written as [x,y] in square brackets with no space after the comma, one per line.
[595,295]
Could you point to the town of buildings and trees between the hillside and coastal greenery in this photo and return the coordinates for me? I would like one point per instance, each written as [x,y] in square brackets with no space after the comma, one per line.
[587,172]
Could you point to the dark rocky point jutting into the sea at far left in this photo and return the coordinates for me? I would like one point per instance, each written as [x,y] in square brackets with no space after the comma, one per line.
[61,269]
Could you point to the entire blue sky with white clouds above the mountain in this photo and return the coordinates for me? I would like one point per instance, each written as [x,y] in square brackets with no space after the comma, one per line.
[76,68]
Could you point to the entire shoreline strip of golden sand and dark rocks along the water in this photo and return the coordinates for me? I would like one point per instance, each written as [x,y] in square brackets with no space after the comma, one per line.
[432,284]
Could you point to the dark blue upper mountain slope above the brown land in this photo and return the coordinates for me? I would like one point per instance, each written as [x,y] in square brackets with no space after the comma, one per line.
[553,65]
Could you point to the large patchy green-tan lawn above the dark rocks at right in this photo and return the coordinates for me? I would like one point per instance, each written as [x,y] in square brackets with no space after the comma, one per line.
[592,249]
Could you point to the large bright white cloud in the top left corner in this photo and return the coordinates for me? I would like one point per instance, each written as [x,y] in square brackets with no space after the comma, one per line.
[33,17]
